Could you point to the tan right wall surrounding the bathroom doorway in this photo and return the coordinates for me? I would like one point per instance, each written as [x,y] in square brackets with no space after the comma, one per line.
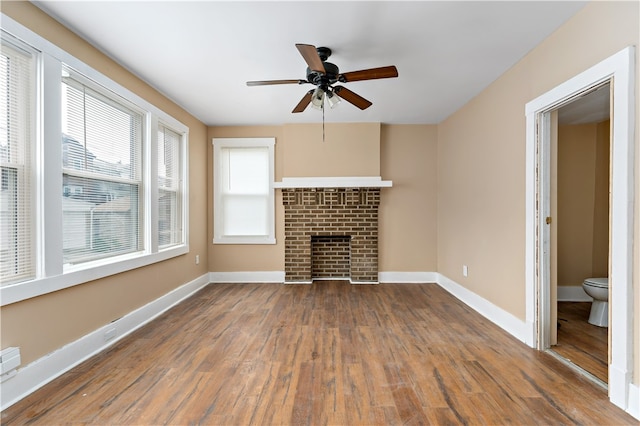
[481,157]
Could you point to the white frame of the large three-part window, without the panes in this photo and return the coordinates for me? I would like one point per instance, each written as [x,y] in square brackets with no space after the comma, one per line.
[52,275]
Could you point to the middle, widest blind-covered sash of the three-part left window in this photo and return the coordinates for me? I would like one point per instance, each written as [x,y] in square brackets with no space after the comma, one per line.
[101,174]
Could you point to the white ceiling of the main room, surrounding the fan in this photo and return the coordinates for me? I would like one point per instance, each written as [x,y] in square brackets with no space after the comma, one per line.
[200,54]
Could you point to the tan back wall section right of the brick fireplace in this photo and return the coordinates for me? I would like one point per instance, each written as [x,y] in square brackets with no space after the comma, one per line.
[407,239]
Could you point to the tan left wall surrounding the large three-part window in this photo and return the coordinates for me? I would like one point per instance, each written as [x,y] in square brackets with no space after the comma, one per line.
[42,324]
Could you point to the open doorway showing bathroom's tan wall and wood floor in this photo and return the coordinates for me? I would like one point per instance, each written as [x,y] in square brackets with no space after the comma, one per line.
[579,247]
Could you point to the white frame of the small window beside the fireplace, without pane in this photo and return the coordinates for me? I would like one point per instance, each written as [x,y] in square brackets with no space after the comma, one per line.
[218,203]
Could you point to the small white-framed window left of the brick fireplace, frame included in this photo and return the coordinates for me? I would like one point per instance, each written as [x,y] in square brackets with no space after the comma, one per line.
[243,191]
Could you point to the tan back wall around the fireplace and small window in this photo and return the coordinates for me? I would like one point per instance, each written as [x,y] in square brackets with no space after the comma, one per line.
[404,154]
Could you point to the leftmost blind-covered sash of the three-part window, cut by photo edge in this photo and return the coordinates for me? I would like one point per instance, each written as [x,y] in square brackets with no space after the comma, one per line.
[17,94]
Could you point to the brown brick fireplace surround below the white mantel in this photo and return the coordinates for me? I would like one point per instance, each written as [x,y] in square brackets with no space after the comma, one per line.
[323,213]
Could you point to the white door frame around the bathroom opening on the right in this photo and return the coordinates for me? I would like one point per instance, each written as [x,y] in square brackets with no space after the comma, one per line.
[619,68]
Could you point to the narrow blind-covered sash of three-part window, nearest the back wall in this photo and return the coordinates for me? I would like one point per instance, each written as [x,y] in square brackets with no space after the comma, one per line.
[170,195]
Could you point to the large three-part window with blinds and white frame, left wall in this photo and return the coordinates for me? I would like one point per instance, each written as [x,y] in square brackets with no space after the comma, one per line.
[93,177]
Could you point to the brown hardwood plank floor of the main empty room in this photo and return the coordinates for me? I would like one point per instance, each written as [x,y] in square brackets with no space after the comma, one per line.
[327,353]
